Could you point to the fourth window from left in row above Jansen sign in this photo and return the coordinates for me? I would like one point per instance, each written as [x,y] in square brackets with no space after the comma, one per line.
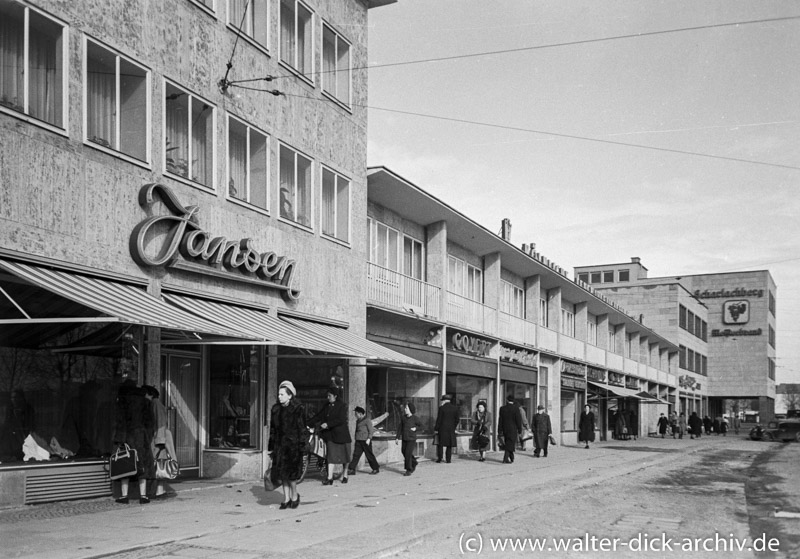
[247,164]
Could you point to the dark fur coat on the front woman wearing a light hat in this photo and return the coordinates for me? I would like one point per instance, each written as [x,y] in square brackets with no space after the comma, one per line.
[288,436]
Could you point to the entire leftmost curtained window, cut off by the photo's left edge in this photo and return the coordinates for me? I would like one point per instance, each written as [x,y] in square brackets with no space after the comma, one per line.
[33,58]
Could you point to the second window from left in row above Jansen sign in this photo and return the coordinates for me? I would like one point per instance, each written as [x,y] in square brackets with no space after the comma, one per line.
[117,98]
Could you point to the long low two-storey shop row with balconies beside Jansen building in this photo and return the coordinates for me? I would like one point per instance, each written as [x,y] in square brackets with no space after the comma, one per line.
[496,320]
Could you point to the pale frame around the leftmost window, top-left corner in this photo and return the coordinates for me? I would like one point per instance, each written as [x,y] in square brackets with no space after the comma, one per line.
[25,115]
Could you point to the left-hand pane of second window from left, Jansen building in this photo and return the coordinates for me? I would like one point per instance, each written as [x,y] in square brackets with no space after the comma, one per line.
[101,96]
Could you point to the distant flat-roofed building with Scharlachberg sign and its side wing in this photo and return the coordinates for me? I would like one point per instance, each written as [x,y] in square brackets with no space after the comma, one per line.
[724,323]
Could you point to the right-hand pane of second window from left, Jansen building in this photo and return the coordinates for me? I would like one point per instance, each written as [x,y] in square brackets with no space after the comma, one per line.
[133,110]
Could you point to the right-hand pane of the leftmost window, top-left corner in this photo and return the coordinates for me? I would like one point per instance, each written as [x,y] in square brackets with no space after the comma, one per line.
[46,72]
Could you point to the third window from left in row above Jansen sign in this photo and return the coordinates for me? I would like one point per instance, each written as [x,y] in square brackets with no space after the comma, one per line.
[189,137]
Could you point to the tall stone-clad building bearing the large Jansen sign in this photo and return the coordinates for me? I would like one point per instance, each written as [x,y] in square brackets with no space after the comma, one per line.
[180,191]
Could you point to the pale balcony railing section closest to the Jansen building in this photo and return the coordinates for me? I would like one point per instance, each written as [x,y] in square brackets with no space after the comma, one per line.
[394,290]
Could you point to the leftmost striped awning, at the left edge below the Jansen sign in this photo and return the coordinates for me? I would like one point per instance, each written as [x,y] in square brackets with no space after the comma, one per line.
[113,301]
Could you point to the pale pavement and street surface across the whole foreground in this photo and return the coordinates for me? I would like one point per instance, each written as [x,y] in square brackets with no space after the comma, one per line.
[680,488]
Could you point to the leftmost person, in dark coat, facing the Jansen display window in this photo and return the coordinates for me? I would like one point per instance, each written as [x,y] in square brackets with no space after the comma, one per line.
[135,426]
